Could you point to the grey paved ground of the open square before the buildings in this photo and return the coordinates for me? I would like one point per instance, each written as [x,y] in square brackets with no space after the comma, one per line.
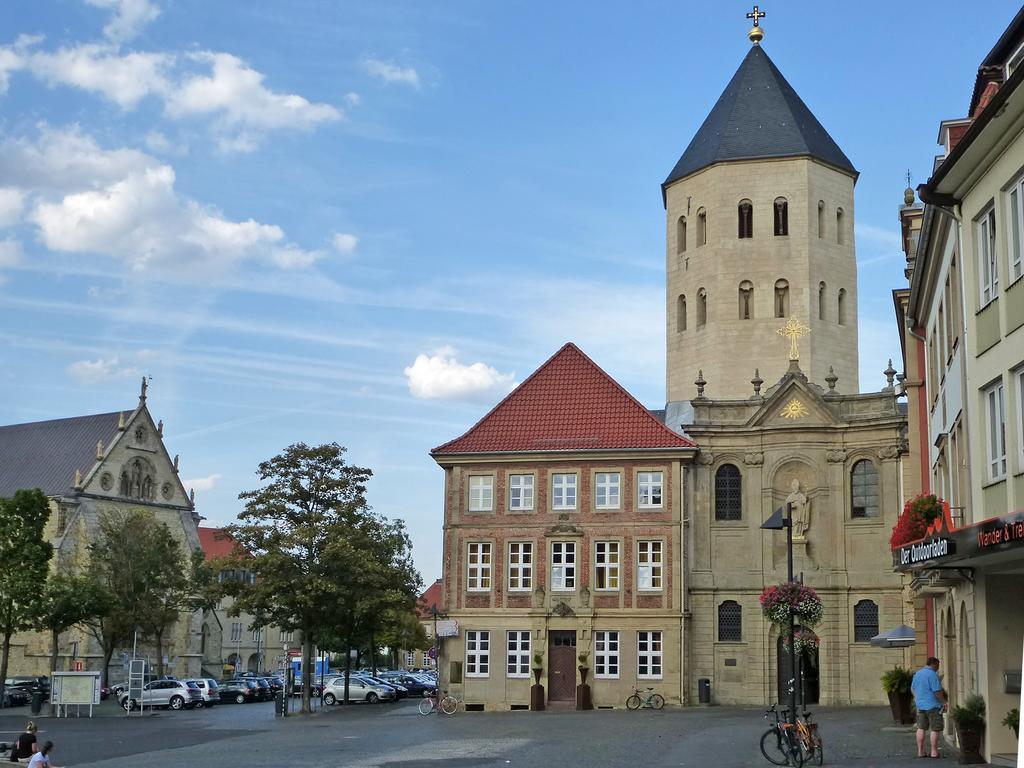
[398,737]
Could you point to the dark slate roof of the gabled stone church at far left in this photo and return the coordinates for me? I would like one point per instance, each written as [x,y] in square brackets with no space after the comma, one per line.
[46,454]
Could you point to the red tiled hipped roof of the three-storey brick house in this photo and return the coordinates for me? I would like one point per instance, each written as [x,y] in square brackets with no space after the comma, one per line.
[569,404]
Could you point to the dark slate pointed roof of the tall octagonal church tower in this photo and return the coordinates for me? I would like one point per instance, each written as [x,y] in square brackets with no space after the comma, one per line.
[759,115]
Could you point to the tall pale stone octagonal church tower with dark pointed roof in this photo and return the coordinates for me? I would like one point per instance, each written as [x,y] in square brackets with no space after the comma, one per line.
[759,232]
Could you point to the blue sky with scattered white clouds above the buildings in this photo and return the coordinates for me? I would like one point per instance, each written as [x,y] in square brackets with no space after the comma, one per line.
[364,222]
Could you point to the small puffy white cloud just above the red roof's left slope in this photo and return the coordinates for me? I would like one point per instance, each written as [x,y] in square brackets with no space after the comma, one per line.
[441,376]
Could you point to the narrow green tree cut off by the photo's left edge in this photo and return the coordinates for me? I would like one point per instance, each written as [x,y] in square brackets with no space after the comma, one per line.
[25,558]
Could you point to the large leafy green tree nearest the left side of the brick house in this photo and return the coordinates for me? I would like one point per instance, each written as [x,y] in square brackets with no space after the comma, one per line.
[306,535]
